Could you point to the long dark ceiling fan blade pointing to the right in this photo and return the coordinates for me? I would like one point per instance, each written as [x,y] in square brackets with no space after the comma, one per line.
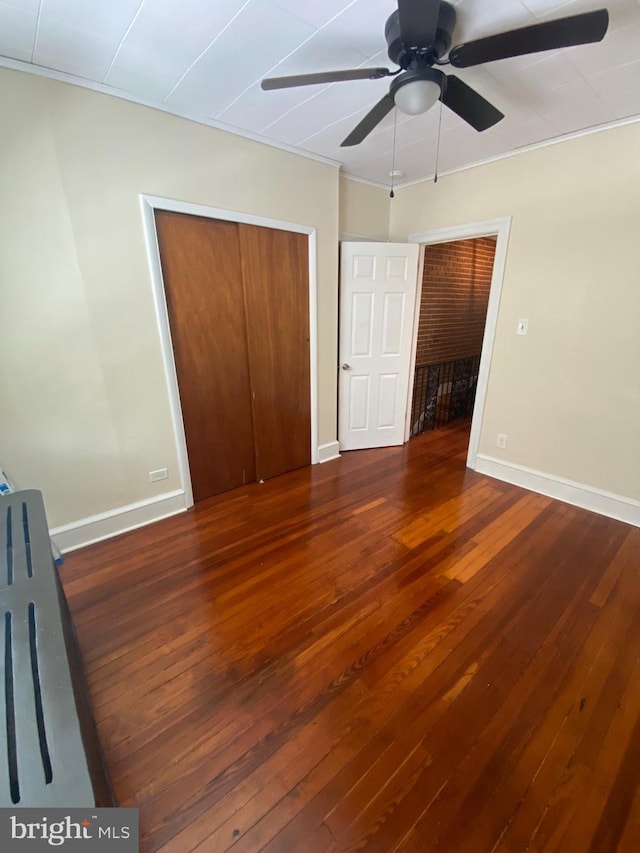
[563,32]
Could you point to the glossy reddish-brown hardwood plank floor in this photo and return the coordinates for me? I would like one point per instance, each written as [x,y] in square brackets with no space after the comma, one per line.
[384,652]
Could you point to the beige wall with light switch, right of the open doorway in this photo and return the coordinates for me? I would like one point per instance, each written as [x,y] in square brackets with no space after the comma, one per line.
[568,394]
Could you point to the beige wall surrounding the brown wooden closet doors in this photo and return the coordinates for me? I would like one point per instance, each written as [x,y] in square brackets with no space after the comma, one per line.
[84,405]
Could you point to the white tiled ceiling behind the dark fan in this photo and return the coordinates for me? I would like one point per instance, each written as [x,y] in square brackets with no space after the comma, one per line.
[205,59]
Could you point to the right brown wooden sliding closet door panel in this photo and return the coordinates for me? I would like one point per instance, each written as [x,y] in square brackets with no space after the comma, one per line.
[275,267]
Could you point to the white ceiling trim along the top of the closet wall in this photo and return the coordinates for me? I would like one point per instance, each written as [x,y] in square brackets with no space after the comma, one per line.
[63,77]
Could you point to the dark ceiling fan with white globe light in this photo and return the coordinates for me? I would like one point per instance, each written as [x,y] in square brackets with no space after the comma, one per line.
[419,34]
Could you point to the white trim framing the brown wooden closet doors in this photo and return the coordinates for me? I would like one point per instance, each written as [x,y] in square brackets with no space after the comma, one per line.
[148,205]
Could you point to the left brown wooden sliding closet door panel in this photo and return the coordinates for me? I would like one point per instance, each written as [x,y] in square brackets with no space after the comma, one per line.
[203,284]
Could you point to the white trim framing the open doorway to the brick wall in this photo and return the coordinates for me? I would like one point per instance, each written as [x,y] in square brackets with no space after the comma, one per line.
[489,228]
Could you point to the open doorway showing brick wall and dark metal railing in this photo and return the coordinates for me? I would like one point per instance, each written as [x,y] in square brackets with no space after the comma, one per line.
[456,283]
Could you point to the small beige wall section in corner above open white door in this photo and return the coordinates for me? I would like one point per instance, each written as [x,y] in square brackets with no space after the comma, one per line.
[364,211]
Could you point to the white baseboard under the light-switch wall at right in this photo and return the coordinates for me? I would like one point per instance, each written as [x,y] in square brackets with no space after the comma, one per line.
[577,494]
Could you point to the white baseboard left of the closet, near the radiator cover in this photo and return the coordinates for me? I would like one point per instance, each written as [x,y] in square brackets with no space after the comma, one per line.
[95,528]
